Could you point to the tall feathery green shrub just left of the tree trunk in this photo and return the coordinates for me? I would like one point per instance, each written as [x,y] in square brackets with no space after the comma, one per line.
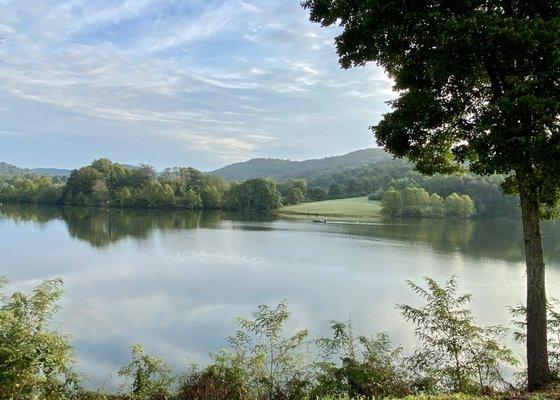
[456,354]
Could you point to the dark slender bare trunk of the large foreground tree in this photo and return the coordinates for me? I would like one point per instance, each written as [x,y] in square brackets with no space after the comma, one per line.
[537,354]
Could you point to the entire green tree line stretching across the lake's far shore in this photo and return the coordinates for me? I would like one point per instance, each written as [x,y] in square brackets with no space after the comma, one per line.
[104,183]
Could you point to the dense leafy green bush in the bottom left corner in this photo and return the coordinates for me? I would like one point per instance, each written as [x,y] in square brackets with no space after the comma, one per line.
[35,361]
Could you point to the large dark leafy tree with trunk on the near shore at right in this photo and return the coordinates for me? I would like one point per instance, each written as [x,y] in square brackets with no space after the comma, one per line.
[478,86]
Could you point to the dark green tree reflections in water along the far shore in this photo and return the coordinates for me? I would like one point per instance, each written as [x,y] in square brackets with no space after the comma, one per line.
[494,239]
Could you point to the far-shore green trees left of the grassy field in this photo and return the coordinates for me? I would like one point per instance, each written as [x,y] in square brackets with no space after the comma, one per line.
[108,184]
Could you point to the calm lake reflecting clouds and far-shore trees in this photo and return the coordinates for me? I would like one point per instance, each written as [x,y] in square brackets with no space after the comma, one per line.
[175,281]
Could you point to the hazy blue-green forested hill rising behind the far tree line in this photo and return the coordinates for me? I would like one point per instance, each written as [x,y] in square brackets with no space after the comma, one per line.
[281,169]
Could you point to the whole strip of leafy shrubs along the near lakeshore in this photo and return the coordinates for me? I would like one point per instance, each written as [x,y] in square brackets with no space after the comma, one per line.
[455,359]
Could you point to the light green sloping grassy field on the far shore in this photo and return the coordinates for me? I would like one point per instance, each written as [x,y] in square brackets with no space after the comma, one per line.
[359,208]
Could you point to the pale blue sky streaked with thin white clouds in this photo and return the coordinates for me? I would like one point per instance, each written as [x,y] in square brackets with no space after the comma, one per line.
[201,83]
